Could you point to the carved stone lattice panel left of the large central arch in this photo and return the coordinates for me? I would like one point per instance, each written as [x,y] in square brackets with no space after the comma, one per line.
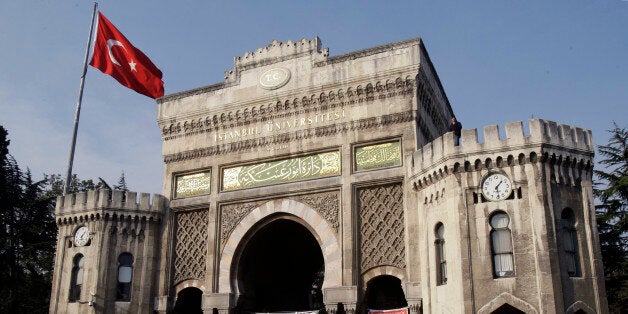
[190,245]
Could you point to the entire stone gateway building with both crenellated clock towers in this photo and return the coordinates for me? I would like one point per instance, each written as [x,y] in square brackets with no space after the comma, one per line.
[306,181]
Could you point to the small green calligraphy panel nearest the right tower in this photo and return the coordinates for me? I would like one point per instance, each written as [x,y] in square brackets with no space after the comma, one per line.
[378,156]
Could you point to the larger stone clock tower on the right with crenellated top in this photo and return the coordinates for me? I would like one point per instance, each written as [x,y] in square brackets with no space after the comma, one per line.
[535,249]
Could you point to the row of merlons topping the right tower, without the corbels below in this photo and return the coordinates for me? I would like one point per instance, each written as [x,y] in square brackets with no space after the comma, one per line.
[541,132]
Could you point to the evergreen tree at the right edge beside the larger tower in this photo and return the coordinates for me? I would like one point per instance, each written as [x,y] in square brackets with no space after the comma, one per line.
[611,189]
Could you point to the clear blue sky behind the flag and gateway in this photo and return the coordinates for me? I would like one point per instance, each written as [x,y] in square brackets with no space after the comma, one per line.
[499,61]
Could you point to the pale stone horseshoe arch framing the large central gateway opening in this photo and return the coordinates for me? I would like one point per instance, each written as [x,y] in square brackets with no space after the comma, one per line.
[307,216]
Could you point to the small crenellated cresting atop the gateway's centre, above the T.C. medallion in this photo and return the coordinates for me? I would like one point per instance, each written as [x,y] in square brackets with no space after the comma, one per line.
[278,51]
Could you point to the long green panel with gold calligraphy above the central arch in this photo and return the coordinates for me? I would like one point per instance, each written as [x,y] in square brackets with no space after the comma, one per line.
[281,171]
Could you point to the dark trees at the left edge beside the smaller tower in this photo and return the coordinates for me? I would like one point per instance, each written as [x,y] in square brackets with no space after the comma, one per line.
[27,238]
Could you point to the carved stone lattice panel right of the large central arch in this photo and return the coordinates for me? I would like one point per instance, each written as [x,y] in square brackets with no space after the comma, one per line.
[380,209]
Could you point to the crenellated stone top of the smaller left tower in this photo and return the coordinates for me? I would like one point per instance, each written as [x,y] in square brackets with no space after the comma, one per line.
[107,199]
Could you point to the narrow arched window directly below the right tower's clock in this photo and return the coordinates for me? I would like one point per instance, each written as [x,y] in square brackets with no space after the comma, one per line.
[501,245]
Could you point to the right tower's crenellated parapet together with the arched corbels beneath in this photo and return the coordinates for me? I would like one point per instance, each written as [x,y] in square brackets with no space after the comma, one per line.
[569,150]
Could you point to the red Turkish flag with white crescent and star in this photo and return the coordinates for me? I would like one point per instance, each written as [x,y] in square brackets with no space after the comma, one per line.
[116,56]
